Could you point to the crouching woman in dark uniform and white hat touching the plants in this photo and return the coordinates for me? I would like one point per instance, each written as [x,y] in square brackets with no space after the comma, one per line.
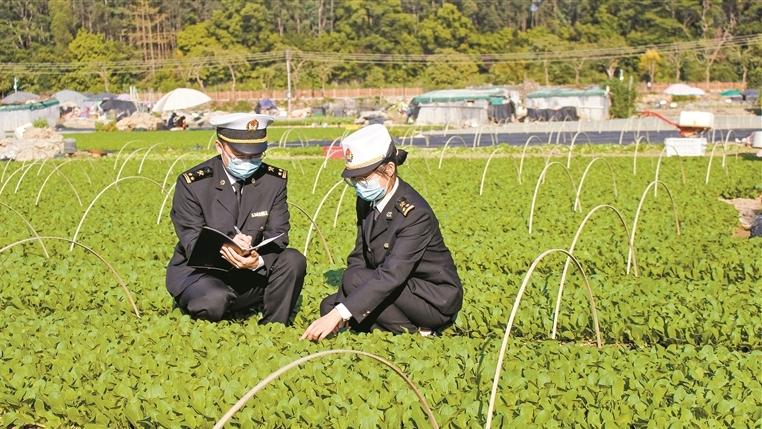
[400,276]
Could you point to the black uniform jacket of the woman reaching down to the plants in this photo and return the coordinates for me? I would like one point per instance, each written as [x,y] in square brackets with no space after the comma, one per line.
[405,248]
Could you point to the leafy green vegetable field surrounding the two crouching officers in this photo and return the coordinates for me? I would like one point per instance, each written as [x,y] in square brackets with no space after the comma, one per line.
[659,323]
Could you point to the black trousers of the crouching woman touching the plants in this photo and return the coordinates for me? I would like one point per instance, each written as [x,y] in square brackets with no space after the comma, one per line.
[403,311]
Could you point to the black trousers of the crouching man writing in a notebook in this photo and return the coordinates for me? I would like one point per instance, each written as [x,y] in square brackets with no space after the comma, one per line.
[214,295]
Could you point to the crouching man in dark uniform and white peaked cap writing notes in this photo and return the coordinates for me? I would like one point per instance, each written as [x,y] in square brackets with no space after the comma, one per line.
[239,195]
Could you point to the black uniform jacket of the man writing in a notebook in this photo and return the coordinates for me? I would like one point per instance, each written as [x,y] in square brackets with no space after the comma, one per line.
[204,197]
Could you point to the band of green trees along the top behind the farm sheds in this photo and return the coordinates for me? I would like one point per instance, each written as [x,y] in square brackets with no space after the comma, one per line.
[211,36]
